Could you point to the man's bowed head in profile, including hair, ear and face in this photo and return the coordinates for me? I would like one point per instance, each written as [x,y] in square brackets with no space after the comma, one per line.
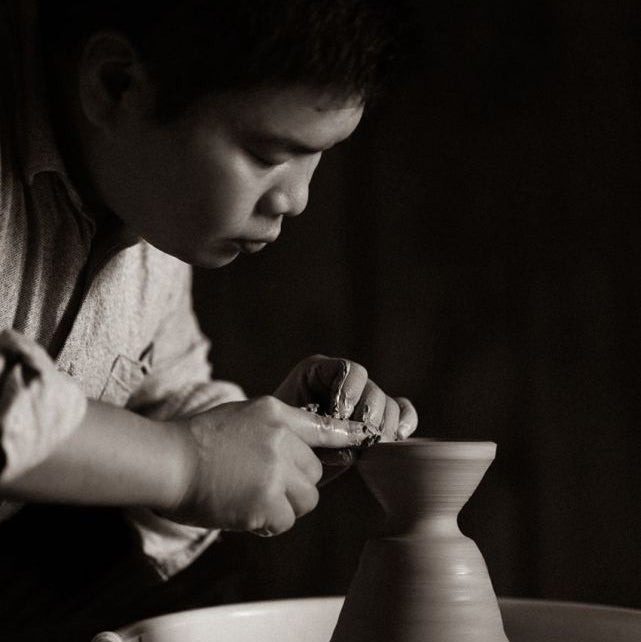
[200,123]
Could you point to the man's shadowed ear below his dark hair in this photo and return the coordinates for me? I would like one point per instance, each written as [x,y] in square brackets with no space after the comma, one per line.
[112,80]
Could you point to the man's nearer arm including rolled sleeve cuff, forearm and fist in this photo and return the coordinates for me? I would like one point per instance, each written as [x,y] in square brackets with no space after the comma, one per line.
[234,466]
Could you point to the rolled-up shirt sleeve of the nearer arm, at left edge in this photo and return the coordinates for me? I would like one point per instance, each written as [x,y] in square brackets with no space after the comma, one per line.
[39,406]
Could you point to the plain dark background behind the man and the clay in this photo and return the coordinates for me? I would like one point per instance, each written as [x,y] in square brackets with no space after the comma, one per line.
[476,246]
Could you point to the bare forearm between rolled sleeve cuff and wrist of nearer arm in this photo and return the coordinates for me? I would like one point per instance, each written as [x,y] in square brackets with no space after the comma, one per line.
[114,458]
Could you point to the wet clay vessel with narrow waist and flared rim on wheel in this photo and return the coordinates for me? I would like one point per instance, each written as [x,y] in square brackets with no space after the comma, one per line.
[423,580]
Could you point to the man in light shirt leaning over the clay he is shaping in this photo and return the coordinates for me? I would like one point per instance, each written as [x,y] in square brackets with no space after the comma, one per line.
[138,138]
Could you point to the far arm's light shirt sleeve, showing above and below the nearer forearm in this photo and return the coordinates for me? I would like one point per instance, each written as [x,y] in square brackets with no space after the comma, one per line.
[179,384]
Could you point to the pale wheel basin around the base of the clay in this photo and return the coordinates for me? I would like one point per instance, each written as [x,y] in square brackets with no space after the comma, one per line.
[313,620]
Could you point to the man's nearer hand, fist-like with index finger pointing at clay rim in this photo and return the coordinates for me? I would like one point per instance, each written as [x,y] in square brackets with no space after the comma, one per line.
[253,466]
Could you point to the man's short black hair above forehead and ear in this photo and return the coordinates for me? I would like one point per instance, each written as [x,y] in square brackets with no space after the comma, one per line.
[195,47]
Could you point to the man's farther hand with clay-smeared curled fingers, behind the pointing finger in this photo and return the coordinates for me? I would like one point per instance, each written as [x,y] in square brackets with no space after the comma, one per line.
[342,389]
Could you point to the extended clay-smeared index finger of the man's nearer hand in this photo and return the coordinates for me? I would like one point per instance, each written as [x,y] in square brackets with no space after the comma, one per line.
[327,432]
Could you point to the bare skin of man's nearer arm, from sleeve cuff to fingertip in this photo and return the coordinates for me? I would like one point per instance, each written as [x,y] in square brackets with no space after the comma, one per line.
[242,465]
